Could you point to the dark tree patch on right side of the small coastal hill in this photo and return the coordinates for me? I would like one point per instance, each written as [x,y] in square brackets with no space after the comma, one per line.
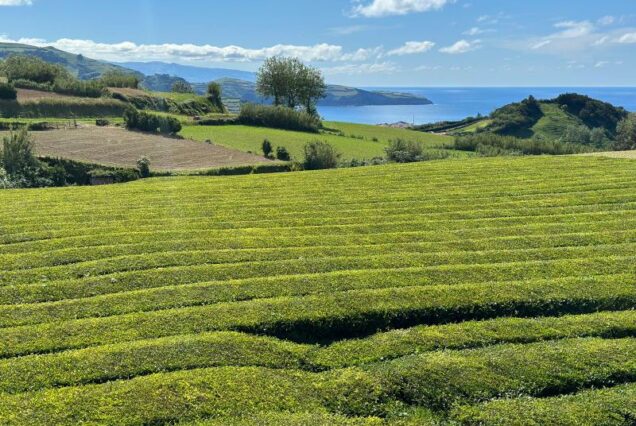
[594,113]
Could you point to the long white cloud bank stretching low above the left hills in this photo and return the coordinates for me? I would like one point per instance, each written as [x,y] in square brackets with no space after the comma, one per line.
[125,51]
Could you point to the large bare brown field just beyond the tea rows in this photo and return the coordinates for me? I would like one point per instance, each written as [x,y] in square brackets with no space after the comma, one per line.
[118,147]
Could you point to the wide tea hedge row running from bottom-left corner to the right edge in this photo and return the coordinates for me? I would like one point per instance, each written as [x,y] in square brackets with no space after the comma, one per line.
[436,380]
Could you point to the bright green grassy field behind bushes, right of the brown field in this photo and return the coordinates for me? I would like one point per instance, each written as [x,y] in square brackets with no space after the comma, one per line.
[357,143]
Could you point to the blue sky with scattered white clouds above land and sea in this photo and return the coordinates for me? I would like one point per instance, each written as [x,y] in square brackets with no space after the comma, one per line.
[397,43]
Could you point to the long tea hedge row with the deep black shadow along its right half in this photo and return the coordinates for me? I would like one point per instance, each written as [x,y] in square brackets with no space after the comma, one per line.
[332,316]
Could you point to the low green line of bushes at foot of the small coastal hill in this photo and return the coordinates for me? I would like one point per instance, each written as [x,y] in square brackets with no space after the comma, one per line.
[491,145]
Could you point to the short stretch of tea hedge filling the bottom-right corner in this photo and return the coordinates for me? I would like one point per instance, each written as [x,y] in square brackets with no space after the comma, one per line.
[615,406]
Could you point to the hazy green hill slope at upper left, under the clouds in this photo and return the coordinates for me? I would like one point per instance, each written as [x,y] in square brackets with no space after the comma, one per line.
[78,65]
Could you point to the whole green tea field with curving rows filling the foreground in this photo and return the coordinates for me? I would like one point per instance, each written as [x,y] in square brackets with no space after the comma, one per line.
[490,291]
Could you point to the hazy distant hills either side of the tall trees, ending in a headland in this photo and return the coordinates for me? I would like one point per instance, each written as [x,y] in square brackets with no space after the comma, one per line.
[236,84]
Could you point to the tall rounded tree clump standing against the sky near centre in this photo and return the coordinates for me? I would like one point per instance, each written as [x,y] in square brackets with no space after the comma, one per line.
[291,83]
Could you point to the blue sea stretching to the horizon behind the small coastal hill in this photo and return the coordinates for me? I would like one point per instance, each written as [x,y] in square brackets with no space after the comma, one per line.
[456,103]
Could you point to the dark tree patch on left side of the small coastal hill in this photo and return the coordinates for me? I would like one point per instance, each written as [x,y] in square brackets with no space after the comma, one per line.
[515,118]
